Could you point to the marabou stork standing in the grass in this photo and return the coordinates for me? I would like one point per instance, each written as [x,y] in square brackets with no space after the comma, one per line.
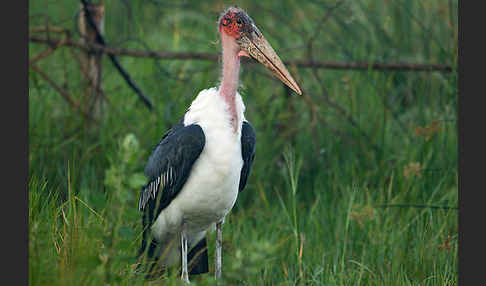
[201,164]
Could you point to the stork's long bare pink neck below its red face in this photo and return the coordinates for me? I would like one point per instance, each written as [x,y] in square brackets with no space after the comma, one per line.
[230,75]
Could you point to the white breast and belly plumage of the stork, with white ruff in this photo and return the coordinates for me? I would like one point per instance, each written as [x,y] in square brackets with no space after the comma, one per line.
[212,187]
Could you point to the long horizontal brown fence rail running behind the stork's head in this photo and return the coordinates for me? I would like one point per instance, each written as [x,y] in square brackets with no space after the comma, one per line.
[215,57]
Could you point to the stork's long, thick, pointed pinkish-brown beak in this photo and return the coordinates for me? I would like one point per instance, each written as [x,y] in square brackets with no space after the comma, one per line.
[258,48]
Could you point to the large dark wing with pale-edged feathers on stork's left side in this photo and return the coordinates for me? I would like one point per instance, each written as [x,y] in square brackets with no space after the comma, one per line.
[169,166]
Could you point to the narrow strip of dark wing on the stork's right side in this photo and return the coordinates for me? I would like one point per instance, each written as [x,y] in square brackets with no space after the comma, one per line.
[248,139]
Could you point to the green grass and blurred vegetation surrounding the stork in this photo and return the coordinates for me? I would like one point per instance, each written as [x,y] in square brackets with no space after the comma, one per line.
[349,181]
